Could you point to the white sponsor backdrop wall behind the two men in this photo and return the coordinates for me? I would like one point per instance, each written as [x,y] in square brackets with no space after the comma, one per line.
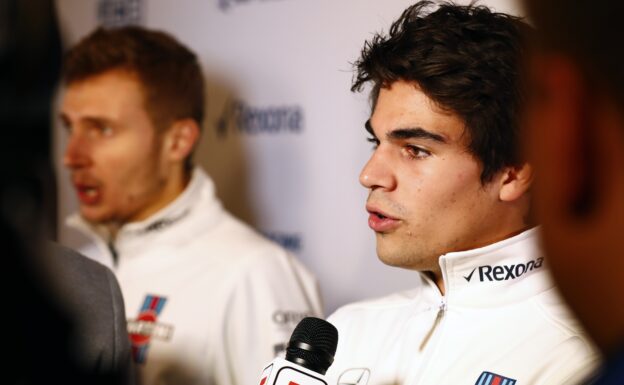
[284,137]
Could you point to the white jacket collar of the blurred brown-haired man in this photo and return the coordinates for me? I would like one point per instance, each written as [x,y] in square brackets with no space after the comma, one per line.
[195,209]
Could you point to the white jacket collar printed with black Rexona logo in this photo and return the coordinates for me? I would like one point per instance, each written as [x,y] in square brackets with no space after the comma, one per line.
[505,272]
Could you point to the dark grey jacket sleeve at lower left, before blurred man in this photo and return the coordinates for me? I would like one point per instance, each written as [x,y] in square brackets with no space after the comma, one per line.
[92,299]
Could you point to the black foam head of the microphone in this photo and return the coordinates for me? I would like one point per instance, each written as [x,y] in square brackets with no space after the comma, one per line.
[313,344]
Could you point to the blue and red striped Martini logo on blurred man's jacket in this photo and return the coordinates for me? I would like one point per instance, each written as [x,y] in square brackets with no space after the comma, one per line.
[146,326]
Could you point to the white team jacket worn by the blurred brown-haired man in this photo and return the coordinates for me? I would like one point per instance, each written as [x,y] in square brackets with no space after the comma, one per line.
[208,300]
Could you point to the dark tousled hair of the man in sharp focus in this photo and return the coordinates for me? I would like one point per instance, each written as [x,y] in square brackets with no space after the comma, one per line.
[468,60]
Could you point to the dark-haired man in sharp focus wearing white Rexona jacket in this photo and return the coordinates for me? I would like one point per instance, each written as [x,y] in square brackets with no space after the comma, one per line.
[449,196]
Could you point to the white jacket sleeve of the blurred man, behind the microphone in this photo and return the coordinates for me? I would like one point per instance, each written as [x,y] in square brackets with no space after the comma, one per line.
[272,293]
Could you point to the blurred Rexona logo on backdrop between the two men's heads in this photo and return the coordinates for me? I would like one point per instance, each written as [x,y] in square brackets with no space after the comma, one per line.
[251,120]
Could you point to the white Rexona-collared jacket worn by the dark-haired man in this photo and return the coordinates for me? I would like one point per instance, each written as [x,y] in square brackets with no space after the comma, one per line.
[500,322]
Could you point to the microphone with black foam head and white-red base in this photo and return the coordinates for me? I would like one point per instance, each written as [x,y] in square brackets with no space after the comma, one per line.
[309,354]
